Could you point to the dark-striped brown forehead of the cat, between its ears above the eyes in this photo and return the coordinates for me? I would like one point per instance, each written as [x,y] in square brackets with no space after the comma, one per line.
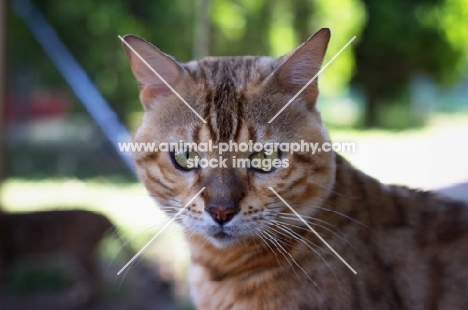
[231,96]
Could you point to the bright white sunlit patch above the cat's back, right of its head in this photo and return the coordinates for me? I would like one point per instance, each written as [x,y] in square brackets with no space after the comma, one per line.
[429,158]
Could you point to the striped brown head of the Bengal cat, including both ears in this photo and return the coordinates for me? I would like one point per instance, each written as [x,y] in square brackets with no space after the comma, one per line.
[236,97]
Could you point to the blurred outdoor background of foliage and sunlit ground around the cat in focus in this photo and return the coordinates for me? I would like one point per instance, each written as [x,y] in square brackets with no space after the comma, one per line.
[399,92]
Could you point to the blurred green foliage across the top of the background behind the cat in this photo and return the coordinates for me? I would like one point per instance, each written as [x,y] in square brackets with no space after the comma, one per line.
[396,39]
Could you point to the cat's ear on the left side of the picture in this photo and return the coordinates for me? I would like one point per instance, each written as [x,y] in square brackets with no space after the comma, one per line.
[151,86]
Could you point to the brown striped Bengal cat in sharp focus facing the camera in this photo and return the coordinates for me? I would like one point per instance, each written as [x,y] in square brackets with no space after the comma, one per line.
[248,250]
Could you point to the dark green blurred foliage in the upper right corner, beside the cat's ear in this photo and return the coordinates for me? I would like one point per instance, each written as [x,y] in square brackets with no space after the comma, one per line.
[404,38]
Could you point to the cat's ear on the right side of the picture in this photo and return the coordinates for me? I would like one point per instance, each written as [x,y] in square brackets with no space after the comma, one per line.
[298,67]
